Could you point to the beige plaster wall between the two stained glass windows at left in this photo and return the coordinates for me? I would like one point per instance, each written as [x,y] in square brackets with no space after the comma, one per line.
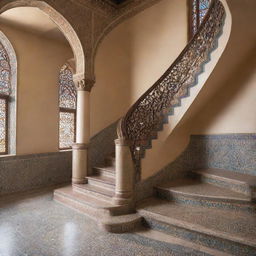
[39,61]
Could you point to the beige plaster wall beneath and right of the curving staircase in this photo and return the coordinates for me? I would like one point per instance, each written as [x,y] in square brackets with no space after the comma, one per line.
[227,101]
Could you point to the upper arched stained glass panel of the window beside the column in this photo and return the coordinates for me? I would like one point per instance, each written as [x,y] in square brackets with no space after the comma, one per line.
[67,90]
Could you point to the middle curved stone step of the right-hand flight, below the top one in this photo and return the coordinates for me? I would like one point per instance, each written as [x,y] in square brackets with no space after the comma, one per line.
[194,192]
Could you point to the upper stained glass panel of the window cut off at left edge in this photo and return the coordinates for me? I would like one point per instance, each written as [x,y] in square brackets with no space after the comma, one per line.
[5,72]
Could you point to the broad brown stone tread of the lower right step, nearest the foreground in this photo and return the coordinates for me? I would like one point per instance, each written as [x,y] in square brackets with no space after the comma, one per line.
[232,225]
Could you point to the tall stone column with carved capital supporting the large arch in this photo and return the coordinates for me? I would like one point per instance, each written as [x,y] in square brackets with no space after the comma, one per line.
[80,148]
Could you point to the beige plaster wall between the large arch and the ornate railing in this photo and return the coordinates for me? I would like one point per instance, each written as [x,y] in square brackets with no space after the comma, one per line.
[133,56]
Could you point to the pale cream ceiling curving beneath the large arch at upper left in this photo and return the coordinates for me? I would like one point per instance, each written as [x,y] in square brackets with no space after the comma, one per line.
[33,20]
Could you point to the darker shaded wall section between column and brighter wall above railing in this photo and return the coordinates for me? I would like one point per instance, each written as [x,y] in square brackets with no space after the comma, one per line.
[111,95]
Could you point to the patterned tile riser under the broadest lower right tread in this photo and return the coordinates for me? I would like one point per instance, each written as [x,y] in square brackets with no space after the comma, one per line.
[203,239]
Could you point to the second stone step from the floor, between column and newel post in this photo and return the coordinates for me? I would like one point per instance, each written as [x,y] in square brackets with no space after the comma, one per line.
[97,192]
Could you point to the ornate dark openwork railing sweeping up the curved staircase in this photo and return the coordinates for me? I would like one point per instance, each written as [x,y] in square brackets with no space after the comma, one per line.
[141,123]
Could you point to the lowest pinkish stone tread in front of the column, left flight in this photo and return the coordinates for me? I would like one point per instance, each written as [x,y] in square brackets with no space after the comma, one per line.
[84,198]
